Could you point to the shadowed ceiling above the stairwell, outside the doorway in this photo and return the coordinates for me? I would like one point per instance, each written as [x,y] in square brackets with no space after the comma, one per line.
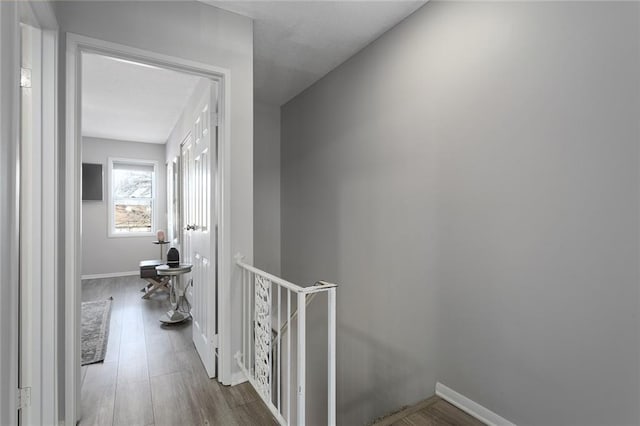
[298,42]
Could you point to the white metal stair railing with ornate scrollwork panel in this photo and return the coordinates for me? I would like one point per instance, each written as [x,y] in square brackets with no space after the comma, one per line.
[271,309]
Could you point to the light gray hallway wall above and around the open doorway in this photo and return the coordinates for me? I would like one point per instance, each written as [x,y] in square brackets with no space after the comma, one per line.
[193,31]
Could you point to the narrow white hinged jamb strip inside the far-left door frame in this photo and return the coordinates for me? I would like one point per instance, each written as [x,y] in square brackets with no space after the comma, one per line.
[31,242]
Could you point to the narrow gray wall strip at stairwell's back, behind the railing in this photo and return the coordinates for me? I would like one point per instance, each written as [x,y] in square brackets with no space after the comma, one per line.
[266,184]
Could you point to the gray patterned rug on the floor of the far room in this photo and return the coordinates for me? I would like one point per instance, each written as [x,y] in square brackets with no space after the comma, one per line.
[96,317]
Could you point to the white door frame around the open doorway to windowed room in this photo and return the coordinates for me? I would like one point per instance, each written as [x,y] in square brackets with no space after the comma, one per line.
[76,45]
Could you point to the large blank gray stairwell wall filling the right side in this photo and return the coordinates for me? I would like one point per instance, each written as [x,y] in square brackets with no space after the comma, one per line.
[471,182]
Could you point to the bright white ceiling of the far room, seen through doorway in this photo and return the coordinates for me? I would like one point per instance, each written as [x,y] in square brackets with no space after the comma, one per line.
[128,101]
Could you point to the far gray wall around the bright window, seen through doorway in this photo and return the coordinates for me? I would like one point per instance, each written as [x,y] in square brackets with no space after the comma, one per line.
[100,253]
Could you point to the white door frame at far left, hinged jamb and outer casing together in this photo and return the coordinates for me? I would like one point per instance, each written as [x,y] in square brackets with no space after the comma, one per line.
[38,232]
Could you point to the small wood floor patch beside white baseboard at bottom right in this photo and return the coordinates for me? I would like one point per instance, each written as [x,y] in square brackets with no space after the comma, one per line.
[434,411]
